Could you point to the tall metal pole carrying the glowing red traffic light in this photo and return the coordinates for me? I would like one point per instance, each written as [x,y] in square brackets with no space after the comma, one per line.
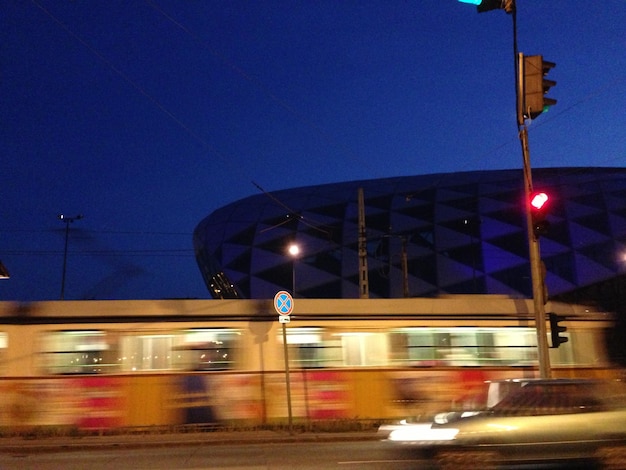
[533,242]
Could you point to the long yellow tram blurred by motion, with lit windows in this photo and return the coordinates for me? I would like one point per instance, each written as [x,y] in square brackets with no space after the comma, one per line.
[107,364]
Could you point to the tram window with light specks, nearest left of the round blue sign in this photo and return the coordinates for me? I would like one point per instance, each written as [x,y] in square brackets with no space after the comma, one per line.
[206,349]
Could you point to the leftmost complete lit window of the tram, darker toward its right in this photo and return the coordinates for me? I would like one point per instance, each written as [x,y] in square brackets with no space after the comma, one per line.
[78,352]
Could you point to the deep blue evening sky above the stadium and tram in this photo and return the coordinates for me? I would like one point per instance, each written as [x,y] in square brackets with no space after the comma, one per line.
[145,116]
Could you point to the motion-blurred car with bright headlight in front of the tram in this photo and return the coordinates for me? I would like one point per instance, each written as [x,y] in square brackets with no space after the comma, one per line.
[526,421]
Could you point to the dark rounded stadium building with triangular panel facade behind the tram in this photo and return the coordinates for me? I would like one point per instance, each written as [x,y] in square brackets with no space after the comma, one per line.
[425,236]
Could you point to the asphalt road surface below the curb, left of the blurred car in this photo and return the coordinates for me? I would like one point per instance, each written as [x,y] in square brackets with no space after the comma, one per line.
[343,455]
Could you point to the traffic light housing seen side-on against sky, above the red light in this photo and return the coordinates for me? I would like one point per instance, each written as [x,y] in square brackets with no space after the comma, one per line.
[536,85]
